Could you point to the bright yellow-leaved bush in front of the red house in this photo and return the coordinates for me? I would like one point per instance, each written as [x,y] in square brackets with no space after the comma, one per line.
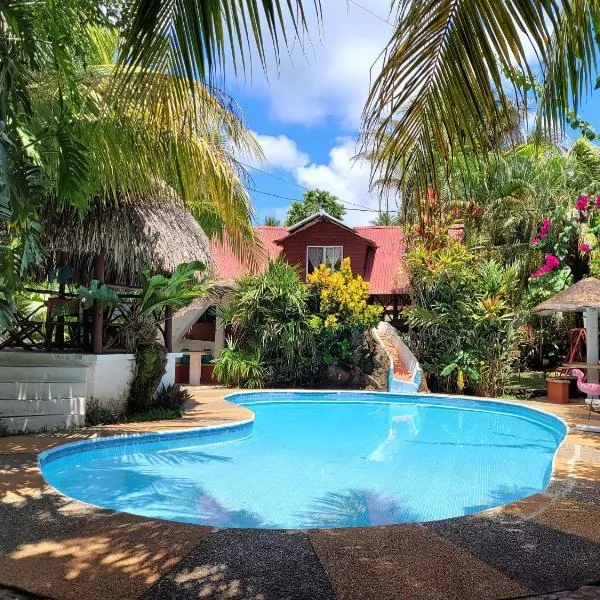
[342,298]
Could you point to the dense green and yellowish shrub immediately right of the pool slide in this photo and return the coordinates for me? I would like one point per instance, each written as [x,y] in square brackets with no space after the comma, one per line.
[461,318]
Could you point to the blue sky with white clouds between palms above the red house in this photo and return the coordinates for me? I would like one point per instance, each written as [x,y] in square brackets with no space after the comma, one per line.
[307,114]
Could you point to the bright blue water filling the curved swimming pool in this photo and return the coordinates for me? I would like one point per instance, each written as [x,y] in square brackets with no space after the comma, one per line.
[321,460]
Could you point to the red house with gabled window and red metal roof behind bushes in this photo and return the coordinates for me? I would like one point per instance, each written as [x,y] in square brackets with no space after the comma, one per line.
[376,253]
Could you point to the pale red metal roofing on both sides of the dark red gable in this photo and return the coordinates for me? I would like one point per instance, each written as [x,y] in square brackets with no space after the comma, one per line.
[387,275]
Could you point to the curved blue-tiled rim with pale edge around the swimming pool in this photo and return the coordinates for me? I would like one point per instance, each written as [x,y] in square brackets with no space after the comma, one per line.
[238,429]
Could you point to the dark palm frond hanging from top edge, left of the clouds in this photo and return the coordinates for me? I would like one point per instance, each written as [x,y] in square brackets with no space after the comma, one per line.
[202,34]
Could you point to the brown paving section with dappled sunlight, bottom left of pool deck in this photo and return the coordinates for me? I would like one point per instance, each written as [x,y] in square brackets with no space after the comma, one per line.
[118,556]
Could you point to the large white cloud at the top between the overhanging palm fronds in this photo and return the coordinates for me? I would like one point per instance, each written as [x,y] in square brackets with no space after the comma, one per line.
[328,77]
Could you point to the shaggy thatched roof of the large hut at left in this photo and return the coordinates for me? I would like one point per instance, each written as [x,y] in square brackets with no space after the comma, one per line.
[155,232]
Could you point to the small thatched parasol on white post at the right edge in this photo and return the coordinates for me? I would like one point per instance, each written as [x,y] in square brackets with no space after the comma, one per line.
[584,297]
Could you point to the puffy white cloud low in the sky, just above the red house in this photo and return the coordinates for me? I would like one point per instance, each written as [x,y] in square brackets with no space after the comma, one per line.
[346,178]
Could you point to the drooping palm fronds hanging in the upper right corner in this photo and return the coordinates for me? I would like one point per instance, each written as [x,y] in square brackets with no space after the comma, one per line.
[453,69]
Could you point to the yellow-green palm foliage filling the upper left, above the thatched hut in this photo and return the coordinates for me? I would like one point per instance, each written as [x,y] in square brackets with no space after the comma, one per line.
[76,126]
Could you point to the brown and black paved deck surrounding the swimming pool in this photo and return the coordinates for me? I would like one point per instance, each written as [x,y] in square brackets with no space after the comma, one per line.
[54,547]
